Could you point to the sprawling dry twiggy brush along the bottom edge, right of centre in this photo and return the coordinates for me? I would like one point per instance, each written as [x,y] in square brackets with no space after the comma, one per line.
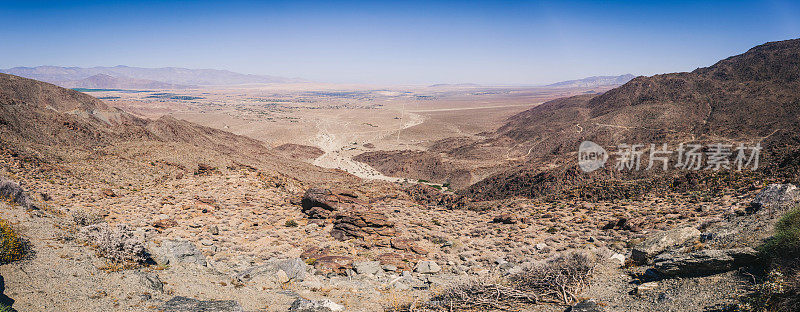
[556,280]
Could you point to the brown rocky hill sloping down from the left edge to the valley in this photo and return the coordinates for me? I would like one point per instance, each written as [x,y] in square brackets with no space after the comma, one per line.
[50,125]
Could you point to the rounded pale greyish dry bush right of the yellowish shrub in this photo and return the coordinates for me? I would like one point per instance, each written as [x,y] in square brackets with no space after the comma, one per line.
[117,243]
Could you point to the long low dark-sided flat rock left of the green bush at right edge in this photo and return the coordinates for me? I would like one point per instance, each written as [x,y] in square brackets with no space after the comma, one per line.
[704,262]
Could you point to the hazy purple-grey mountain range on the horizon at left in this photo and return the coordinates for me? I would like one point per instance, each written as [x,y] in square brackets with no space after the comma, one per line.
[138,77]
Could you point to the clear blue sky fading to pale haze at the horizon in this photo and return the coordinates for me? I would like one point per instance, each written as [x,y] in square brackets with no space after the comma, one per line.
[394,42]
